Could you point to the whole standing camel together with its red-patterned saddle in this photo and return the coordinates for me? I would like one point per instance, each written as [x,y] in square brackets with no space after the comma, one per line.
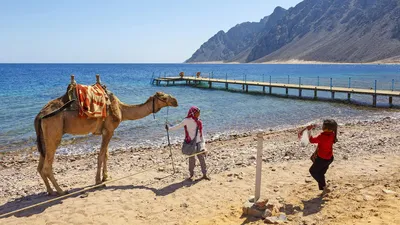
[83,110]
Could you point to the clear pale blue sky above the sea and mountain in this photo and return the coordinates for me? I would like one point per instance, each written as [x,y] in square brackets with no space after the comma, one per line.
[126,31]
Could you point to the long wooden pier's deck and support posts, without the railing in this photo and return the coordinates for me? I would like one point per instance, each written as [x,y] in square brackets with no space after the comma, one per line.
[189,80]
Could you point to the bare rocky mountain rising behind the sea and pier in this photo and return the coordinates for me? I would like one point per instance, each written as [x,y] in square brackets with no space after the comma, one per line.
[314,30]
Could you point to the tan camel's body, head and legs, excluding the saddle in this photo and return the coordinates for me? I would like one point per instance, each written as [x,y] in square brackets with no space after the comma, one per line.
[53,121]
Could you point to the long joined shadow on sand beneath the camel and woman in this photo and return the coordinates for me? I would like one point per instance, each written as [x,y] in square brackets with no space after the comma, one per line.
[31,200]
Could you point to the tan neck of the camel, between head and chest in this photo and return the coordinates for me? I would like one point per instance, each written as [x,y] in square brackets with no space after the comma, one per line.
[135,112]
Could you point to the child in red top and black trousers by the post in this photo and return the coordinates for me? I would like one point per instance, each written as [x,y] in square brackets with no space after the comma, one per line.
[323,155]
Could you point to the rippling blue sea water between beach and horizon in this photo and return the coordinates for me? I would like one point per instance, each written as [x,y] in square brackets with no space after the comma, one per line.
[26,88]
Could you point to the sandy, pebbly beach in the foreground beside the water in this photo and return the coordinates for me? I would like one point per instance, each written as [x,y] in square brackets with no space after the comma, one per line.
[365,178]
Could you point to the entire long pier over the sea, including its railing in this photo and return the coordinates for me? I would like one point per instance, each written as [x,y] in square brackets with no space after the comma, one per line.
[349,86]
